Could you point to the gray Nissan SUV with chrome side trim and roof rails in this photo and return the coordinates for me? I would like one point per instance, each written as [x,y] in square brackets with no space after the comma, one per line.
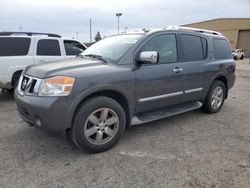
[126,80]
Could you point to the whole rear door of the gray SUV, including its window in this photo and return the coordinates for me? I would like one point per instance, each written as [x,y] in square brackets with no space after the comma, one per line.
[193,55]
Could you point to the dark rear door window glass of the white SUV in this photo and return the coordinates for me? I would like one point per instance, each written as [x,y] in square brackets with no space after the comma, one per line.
[48,47]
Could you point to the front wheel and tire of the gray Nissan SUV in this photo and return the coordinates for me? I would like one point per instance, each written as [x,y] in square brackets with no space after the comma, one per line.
[98,124]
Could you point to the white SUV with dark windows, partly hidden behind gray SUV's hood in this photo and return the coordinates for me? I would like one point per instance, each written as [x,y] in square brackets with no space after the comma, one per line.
[20,49]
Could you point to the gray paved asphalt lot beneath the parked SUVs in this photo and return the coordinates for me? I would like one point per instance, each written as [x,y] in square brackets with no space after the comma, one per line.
[189,150]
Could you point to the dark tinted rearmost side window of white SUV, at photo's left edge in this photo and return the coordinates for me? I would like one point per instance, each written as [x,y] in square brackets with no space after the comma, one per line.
[10,46]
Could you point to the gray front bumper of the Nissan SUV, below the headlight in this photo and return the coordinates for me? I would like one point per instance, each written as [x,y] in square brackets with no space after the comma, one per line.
[47,113]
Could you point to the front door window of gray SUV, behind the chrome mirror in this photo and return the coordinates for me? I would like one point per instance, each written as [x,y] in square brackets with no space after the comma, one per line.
[165,45]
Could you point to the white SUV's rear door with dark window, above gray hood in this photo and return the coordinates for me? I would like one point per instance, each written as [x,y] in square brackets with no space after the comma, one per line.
[47,50]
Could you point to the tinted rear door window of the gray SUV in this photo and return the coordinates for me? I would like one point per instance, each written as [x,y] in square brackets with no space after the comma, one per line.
[192,49]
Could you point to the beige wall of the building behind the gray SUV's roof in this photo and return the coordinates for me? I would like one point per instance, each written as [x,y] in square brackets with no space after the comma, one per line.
[229,27]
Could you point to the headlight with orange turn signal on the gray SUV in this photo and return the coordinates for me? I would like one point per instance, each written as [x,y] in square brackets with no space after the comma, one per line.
[56,86]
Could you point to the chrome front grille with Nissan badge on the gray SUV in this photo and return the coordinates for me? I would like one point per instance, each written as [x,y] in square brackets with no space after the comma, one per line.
[28,85]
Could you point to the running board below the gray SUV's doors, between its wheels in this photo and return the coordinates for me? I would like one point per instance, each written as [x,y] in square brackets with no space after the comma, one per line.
[166,112]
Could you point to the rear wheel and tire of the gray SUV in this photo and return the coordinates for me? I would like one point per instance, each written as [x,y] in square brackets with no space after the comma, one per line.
[215,98]
